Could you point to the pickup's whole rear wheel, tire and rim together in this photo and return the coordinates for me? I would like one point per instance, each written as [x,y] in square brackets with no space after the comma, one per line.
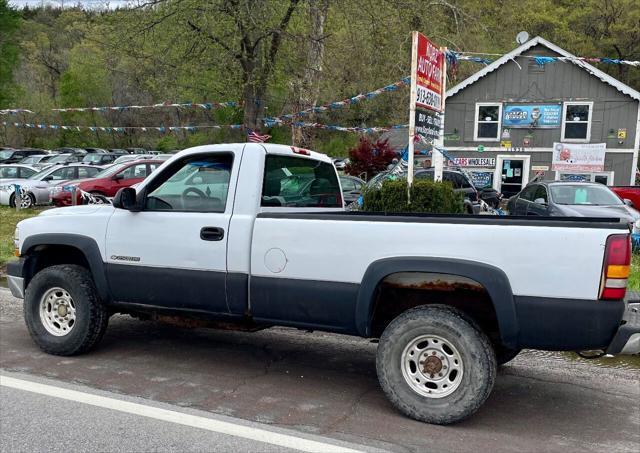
[434,365]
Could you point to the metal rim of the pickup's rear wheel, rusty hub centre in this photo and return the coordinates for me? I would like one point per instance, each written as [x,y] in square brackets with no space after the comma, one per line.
[432,366]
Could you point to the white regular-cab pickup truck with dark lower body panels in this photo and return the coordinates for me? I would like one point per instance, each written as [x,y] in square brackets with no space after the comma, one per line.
[252,236]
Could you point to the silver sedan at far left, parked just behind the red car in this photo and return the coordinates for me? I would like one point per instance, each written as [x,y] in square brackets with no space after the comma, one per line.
[36,189]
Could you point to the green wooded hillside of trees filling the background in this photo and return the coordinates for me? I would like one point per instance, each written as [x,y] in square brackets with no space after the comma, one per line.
[189,50]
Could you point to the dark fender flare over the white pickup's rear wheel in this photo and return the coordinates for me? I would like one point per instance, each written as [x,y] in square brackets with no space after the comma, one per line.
[494,280]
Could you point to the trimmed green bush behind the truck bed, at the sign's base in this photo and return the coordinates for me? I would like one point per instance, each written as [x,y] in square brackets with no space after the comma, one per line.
[426,196]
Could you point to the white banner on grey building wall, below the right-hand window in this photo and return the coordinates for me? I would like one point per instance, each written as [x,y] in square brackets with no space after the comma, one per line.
[578,156]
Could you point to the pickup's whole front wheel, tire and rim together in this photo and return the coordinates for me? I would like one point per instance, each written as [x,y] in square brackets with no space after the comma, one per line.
[63,312]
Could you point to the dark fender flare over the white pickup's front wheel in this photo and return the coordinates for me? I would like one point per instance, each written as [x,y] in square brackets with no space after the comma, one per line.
[87,246]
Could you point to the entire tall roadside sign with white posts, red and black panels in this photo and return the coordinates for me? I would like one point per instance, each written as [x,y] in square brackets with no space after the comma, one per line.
[428,74]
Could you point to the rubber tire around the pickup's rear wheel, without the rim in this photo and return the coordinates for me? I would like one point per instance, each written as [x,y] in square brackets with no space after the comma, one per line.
[473,346]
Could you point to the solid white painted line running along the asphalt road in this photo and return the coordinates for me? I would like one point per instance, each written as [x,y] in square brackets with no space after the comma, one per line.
[246,432]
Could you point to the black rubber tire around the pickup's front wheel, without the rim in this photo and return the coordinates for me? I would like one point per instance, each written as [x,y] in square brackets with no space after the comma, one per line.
[91,317]
